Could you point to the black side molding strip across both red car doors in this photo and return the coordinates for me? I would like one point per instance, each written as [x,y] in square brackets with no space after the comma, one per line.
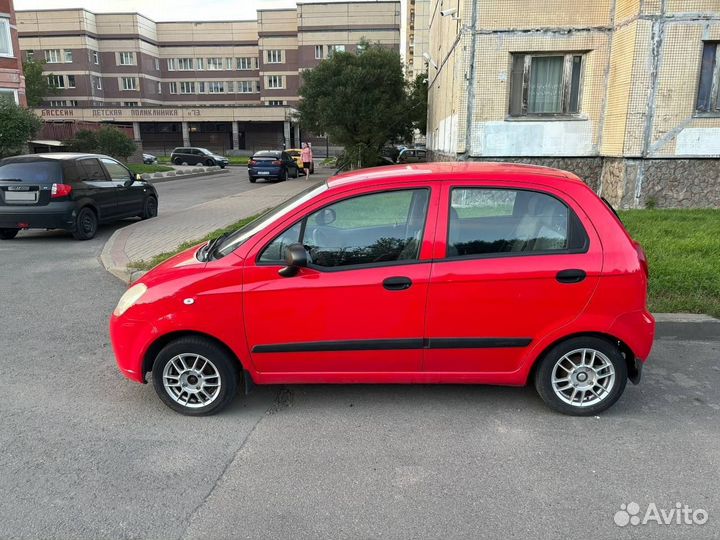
[395,344]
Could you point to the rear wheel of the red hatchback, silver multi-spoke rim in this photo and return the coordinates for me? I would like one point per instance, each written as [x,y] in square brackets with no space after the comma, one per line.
[605,352]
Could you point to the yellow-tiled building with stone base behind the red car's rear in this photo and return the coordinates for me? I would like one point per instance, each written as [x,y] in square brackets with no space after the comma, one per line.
[626,93]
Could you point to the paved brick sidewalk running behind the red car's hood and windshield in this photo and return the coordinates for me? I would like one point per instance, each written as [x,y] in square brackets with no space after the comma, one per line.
[144,239]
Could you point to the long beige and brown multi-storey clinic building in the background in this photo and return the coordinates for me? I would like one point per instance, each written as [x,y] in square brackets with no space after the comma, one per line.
[225,84]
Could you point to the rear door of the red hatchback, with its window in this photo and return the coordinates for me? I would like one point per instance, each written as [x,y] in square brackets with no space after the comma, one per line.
[511,265]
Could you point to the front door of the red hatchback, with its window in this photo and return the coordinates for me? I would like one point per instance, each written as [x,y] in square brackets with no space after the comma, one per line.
[359,307]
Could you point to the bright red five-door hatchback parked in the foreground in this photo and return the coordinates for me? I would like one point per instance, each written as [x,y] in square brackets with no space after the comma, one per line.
[434,273]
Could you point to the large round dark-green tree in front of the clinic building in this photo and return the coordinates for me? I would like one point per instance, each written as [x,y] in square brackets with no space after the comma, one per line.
[360,100]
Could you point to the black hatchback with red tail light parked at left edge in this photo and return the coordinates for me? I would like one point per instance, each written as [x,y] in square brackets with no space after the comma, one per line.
[75,192]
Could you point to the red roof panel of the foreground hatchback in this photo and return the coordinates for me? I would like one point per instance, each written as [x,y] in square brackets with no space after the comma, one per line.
[482,170]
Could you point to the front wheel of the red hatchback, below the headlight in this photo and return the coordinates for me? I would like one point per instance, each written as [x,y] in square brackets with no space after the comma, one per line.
[218,362]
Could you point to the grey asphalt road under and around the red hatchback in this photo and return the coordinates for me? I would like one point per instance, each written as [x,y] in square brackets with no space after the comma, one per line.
[85,453]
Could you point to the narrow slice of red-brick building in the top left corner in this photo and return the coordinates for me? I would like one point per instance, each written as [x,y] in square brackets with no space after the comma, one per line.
[12,82]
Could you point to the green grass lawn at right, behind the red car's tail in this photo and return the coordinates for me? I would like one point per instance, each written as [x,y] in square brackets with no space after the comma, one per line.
[683,249]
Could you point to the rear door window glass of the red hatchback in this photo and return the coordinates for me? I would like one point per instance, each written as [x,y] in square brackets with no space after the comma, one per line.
[492,222]
